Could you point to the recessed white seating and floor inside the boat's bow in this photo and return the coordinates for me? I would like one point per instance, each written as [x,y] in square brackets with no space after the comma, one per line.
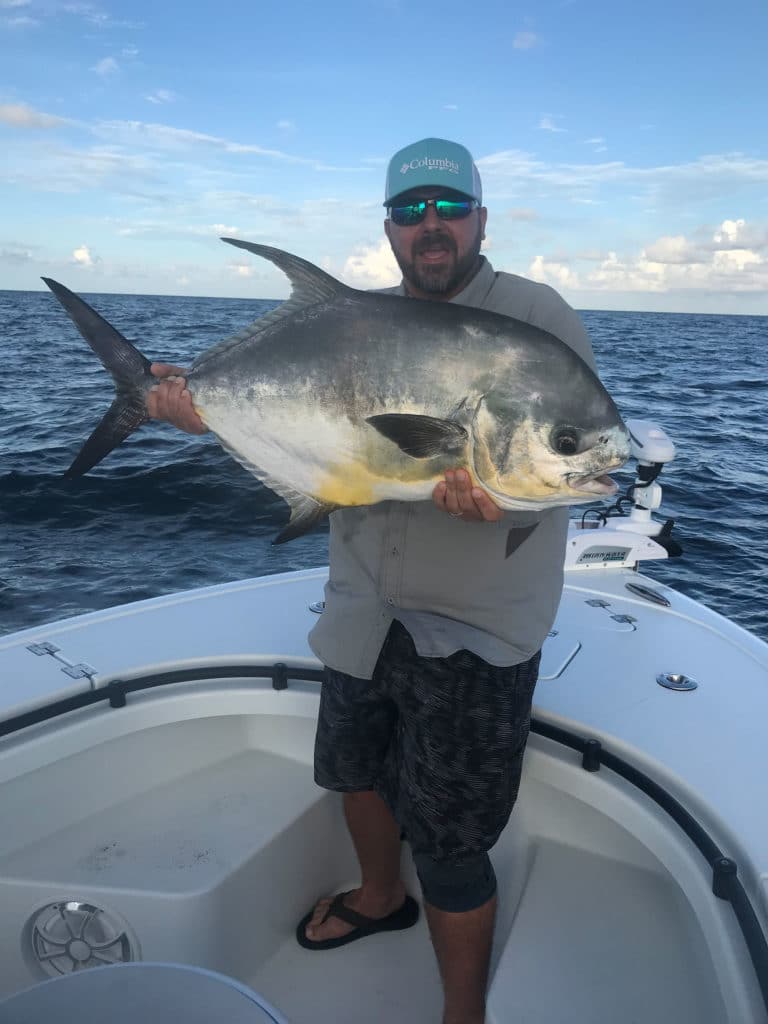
[211,849]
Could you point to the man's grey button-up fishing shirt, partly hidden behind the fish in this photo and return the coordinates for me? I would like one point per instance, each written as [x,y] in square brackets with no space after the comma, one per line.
[451,583]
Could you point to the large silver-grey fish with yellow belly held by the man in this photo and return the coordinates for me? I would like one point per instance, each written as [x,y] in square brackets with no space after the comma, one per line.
[343,398]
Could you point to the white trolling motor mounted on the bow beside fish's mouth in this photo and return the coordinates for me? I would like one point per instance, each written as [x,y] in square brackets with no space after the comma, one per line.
[626,534]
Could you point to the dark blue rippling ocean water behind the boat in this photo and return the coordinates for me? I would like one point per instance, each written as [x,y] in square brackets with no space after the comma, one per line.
[168,511]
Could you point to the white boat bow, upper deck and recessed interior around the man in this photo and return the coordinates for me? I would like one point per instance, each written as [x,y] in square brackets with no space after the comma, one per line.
[191,816]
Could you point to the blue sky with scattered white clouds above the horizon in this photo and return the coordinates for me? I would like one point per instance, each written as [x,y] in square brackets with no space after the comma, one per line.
[623,147]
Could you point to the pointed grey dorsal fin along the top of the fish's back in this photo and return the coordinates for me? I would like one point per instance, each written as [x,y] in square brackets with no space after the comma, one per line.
[310,286]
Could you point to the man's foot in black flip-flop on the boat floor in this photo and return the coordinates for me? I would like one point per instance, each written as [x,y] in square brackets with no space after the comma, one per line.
[342,919]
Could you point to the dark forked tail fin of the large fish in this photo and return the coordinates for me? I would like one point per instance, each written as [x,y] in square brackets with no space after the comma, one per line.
[130,369]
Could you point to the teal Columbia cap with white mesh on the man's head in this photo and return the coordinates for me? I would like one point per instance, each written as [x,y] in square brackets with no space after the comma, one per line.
[433,162]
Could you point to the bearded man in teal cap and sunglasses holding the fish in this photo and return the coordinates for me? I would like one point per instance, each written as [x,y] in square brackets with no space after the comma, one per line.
[435,619]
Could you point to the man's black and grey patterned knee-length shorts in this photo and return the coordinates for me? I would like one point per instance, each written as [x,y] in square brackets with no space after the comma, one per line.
[441,740]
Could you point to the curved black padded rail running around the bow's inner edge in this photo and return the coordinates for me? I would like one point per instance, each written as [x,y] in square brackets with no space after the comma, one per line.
[726,882]
